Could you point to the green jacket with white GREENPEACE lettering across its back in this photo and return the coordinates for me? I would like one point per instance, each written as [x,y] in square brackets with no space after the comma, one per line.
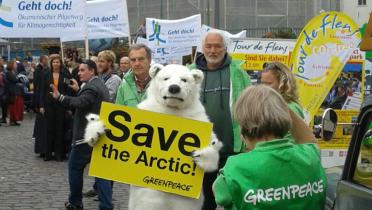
[276,175]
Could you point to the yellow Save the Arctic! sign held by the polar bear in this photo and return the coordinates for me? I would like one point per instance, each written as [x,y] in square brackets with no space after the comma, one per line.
[150,150]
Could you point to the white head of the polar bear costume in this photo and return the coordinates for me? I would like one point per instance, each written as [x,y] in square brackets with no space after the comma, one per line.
[175,86]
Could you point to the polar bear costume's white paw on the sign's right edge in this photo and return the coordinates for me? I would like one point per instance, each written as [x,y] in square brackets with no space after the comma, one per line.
[208,157]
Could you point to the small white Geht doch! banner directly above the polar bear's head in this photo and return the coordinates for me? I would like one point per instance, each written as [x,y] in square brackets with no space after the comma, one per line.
[171,33]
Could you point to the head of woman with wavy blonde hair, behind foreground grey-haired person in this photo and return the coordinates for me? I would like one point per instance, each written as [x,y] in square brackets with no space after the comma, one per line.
[279,77]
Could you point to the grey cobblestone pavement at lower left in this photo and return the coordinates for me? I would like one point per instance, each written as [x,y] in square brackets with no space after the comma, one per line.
[28,182]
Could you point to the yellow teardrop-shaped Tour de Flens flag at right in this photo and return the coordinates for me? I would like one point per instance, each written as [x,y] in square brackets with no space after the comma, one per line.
[322,49]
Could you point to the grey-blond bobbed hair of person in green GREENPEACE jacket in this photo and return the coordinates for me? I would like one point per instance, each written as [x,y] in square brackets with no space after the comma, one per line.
[261,111]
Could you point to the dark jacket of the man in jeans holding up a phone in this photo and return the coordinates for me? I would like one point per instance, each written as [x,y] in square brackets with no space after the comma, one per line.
[87,101]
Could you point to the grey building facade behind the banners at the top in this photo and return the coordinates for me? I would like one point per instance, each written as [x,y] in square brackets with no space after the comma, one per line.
[256,16]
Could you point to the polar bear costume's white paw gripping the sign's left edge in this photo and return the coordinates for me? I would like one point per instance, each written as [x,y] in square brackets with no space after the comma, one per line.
[94,130]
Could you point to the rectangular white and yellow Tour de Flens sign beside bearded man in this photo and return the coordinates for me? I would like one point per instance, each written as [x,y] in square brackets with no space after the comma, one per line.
[256,52]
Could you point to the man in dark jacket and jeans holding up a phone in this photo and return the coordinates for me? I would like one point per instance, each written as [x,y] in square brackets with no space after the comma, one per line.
[88,100]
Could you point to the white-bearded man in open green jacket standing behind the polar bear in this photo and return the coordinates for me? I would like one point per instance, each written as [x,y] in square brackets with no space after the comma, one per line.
[224,80]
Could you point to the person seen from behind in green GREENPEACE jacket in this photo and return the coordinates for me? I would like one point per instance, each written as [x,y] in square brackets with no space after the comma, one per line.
[275,172]
